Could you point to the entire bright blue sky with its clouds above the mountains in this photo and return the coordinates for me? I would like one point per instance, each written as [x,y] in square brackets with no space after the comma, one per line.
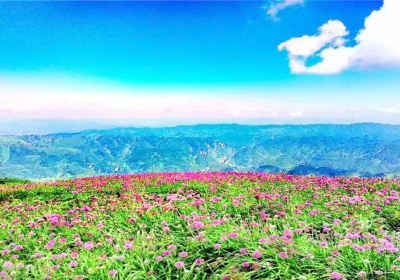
[278,61]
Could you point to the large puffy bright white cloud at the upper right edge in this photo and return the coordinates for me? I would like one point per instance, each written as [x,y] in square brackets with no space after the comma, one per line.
[377,44]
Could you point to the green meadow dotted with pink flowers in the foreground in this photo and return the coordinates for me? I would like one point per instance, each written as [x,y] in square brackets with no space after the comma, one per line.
[201,226]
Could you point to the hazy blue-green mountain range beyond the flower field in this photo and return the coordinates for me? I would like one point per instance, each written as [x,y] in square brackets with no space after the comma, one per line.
[369,150]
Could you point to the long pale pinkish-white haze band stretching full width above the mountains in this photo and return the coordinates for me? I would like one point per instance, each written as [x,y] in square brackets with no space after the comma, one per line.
[35,98]
